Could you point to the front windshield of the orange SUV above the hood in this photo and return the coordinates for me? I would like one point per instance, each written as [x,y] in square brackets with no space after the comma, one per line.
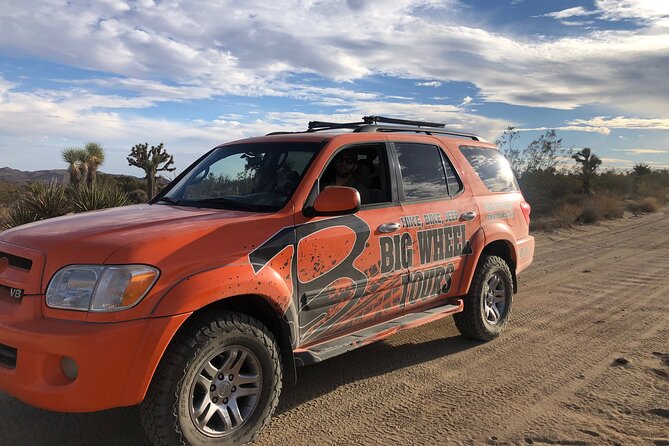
[248,177]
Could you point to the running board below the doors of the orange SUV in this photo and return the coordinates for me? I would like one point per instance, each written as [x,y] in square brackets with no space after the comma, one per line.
[343,344]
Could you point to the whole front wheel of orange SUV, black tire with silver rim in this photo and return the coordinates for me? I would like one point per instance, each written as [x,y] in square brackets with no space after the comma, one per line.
[232,340]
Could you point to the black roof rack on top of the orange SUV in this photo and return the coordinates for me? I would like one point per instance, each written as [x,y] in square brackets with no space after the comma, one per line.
[384,124]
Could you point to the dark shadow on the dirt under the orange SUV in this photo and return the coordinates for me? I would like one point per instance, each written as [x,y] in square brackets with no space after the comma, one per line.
[22,424]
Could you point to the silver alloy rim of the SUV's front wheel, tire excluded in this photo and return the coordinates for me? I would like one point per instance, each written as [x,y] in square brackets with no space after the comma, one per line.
[225,391]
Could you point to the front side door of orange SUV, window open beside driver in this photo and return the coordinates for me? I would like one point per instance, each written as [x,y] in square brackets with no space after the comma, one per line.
[350,268]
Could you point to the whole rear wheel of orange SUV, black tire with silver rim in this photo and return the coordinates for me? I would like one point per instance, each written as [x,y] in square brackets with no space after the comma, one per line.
[477,321]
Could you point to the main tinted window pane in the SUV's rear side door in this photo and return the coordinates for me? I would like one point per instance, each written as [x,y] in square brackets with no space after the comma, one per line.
[422,171]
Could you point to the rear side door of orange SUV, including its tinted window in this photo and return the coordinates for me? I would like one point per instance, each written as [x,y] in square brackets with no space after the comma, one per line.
[440,216]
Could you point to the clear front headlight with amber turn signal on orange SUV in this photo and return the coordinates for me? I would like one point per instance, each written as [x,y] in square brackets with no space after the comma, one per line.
[99,287]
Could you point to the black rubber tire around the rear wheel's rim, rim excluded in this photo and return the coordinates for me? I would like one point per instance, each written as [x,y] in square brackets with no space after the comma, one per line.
[469,321]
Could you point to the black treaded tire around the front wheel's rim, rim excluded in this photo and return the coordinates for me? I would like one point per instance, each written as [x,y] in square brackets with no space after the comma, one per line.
[163,429]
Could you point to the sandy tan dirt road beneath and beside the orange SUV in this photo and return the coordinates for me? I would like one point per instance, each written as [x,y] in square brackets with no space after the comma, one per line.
[585,361]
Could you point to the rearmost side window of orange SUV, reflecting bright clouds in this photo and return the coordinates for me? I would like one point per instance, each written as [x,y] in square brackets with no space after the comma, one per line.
[492,168]
